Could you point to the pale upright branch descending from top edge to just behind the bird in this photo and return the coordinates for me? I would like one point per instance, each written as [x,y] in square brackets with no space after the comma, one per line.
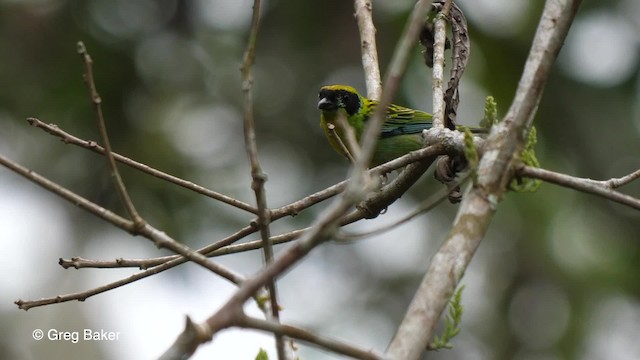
[364,9]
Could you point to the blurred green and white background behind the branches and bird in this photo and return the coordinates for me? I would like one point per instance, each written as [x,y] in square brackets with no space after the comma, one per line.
[557,277]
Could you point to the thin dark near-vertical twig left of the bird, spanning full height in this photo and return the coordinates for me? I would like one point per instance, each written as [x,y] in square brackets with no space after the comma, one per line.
[257,175]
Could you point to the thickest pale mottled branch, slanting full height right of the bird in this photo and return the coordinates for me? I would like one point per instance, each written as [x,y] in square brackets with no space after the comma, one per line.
[479,204]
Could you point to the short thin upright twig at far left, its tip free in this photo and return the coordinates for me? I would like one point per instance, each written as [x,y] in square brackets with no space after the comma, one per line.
[97,104]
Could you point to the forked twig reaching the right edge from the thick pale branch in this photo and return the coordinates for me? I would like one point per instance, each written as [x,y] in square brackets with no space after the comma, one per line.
[600,188]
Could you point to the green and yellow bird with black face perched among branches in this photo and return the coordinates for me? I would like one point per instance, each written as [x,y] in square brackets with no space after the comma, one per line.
[400,133]
